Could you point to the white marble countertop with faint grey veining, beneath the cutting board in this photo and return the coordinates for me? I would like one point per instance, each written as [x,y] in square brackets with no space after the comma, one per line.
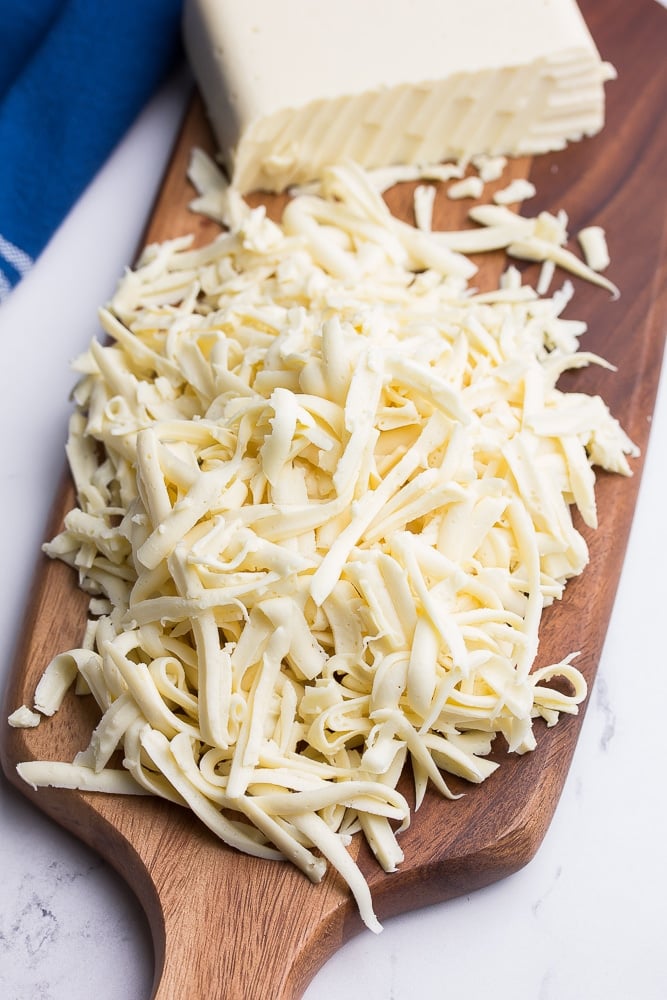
[585,919]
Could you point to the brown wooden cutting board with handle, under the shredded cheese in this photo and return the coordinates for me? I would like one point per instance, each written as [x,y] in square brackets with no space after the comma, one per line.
[228,926]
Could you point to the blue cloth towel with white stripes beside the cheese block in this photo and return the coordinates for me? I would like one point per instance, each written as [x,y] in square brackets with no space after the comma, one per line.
[73,76]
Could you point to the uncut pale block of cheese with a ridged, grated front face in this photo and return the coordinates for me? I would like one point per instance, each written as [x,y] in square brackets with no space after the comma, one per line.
[291,88]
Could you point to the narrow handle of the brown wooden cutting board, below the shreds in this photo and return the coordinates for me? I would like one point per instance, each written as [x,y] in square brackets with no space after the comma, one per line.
[231,927]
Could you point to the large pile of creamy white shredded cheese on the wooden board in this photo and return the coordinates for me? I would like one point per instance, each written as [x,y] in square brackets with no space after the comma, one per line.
[325,493]
